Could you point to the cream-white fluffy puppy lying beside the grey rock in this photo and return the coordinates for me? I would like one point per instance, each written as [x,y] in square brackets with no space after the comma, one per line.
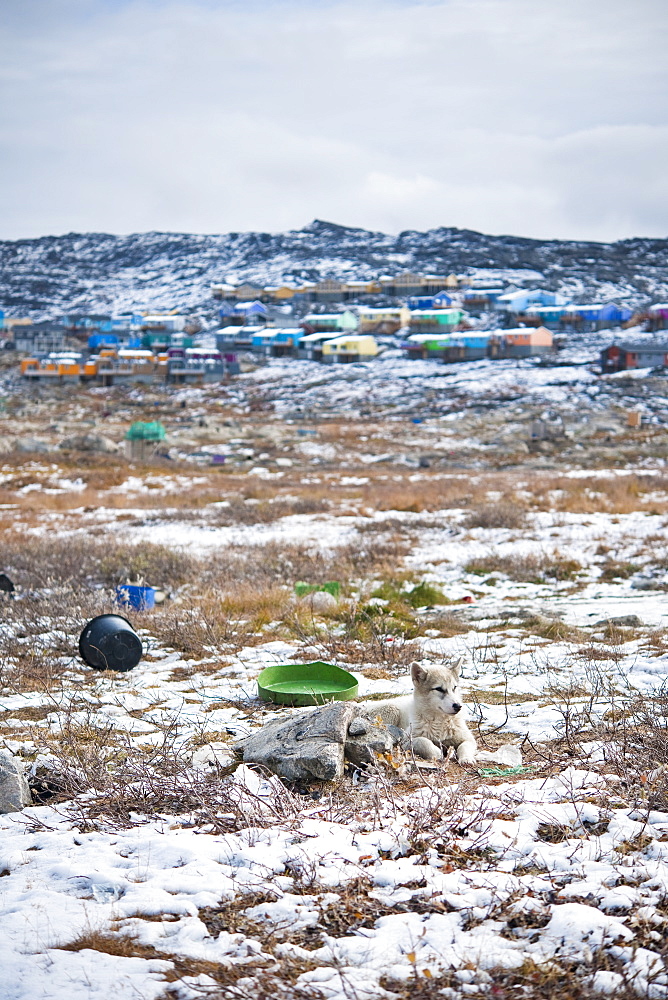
[431,716]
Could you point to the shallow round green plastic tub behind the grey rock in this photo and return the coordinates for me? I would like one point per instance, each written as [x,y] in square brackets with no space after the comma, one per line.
[306,684]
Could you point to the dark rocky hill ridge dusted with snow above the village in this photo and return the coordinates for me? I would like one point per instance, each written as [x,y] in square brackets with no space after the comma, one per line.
[99,272]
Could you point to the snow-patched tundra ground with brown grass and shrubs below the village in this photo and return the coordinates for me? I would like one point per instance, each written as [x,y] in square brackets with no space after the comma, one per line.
[180,872]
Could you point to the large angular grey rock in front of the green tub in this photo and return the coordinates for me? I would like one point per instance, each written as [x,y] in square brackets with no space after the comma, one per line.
[303,747]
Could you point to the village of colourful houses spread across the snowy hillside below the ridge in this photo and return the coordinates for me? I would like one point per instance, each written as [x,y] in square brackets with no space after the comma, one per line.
[448,319]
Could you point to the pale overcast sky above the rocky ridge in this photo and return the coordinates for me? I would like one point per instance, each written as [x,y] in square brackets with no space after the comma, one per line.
[544,118]
